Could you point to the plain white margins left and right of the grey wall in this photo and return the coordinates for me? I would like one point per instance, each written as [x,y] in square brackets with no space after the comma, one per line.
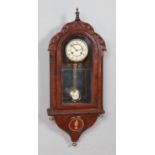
[135,78]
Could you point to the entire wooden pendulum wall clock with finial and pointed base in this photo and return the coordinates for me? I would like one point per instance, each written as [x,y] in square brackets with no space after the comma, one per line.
[76,77]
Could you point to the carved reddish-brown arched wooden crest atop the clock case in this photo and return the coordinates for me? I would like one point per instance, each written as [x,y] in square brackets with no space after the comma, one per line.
[77,26]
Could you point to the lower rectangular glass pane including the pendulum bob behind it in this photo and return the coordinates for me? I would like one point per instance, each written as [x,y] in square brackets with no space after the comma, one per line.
[80,89]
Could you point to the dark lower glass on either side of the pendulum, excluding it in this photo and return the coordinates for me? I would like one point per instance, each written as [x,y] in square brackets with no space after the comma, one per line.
[83,85]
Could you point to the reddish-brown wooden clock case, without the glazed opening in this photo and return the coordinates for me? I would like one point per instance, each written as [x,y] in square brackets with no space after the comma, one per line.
[76,118]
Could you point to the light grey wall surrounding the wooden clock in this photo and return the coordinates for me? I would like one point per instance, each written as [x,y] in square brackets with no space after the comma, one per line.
[53,14]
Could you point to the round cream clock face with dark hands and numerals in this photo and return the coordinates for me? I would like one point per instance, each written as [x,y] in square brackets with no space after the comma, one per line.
[76,50]
